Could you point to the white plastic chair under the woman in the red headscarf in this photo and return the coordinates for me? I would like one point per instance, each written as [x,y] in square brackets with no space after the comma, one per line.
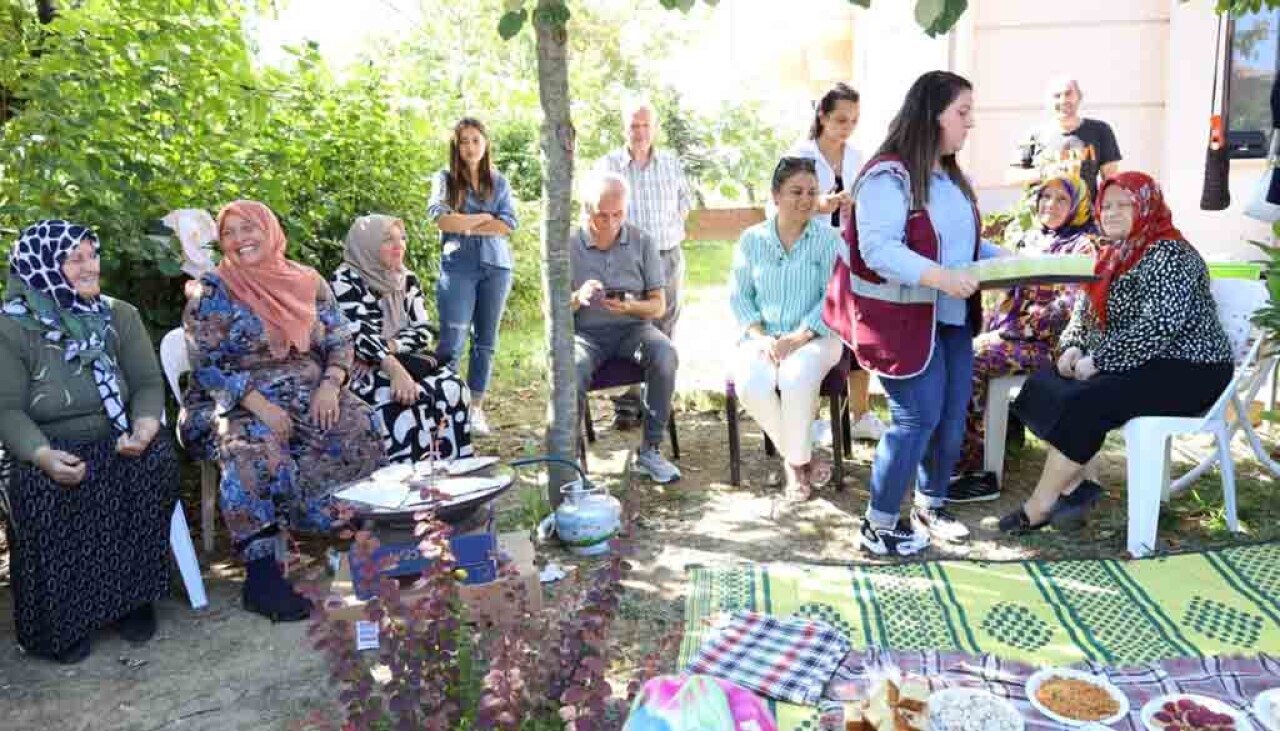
[1148,438]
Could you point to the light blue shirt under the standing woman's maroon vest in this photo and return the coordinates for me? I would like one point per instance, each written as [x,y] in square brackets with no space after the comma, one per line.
[883,204]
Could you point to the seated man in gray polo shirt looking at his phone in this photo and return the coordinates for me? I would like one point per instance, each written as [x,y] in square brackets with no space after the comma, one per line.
[618,299]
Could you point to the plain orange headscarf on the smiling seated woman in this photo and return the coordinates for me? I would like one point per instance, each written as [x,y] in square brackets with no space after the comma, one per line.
[281,293]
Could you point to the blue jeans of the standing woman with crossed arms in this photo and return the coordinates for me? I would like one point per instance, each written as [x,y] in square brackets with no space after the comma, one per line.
[470,298]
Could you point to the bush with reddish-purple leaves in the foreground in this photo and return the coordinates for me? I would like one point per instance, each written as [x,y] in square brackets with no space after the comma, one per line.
[545,671]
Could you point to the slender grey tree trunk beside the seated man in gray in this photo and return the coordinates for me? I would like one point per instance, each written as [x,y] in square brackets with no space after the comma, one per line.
[557,139]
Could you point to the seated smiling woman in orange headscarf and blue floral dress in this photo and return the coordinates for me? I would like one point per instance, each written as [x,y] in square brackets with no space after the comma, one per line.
[272,350]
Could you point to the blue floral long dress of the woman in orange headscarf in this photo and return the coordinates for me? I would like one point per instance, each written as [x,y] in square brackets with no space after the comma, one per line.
[271,483]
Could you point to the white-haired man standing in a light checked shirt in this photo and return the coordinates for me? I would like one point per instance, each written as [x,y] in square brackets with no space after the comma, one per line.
[660,203]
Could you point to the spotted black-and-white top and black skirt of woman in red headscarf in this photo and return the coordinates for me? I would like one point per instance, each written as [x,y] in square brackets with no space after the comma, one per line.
[1164,353]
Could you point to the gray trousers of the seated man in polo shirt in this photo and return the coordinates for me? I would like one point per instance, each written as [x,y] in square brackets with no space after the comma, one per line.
[644,345]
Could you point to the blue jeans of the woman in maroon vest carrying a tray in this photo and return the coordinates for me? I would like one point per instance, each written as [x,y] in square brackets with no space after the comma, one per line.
[927,435]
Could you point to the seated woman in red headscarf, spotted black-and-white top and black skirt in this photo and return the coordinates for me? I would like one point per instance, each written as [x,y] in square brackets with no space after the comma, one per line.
[1145,341]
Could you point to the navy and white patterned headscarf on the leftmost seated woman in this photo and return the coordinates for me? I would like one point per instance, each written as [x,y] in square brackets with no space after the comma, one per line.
[42,299]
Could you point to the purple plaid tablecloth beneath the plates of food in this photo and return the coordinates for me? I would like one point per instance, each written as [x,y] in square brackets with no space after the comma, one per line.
[1235,680]
